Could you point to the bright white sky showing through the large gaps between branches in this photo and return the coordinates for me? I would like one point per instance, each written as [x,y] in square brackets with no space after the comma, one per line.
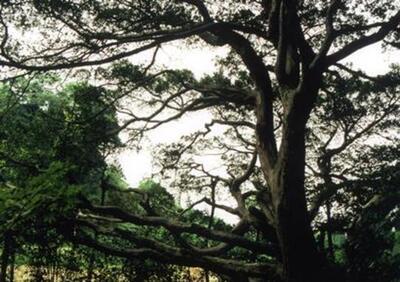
[137,166]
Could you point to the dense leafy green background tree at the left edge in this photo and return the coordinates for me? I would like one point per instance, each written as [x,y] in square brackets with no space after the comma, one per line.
[47,155]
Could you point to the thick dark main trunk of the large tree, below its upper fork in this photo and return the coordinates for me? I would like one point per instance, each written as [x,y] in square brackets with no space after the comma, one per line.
[301,260]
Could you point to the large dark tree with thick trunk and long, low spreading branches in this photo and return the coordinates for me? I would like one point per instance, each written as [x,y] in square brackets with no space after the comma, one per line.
[282,56]
